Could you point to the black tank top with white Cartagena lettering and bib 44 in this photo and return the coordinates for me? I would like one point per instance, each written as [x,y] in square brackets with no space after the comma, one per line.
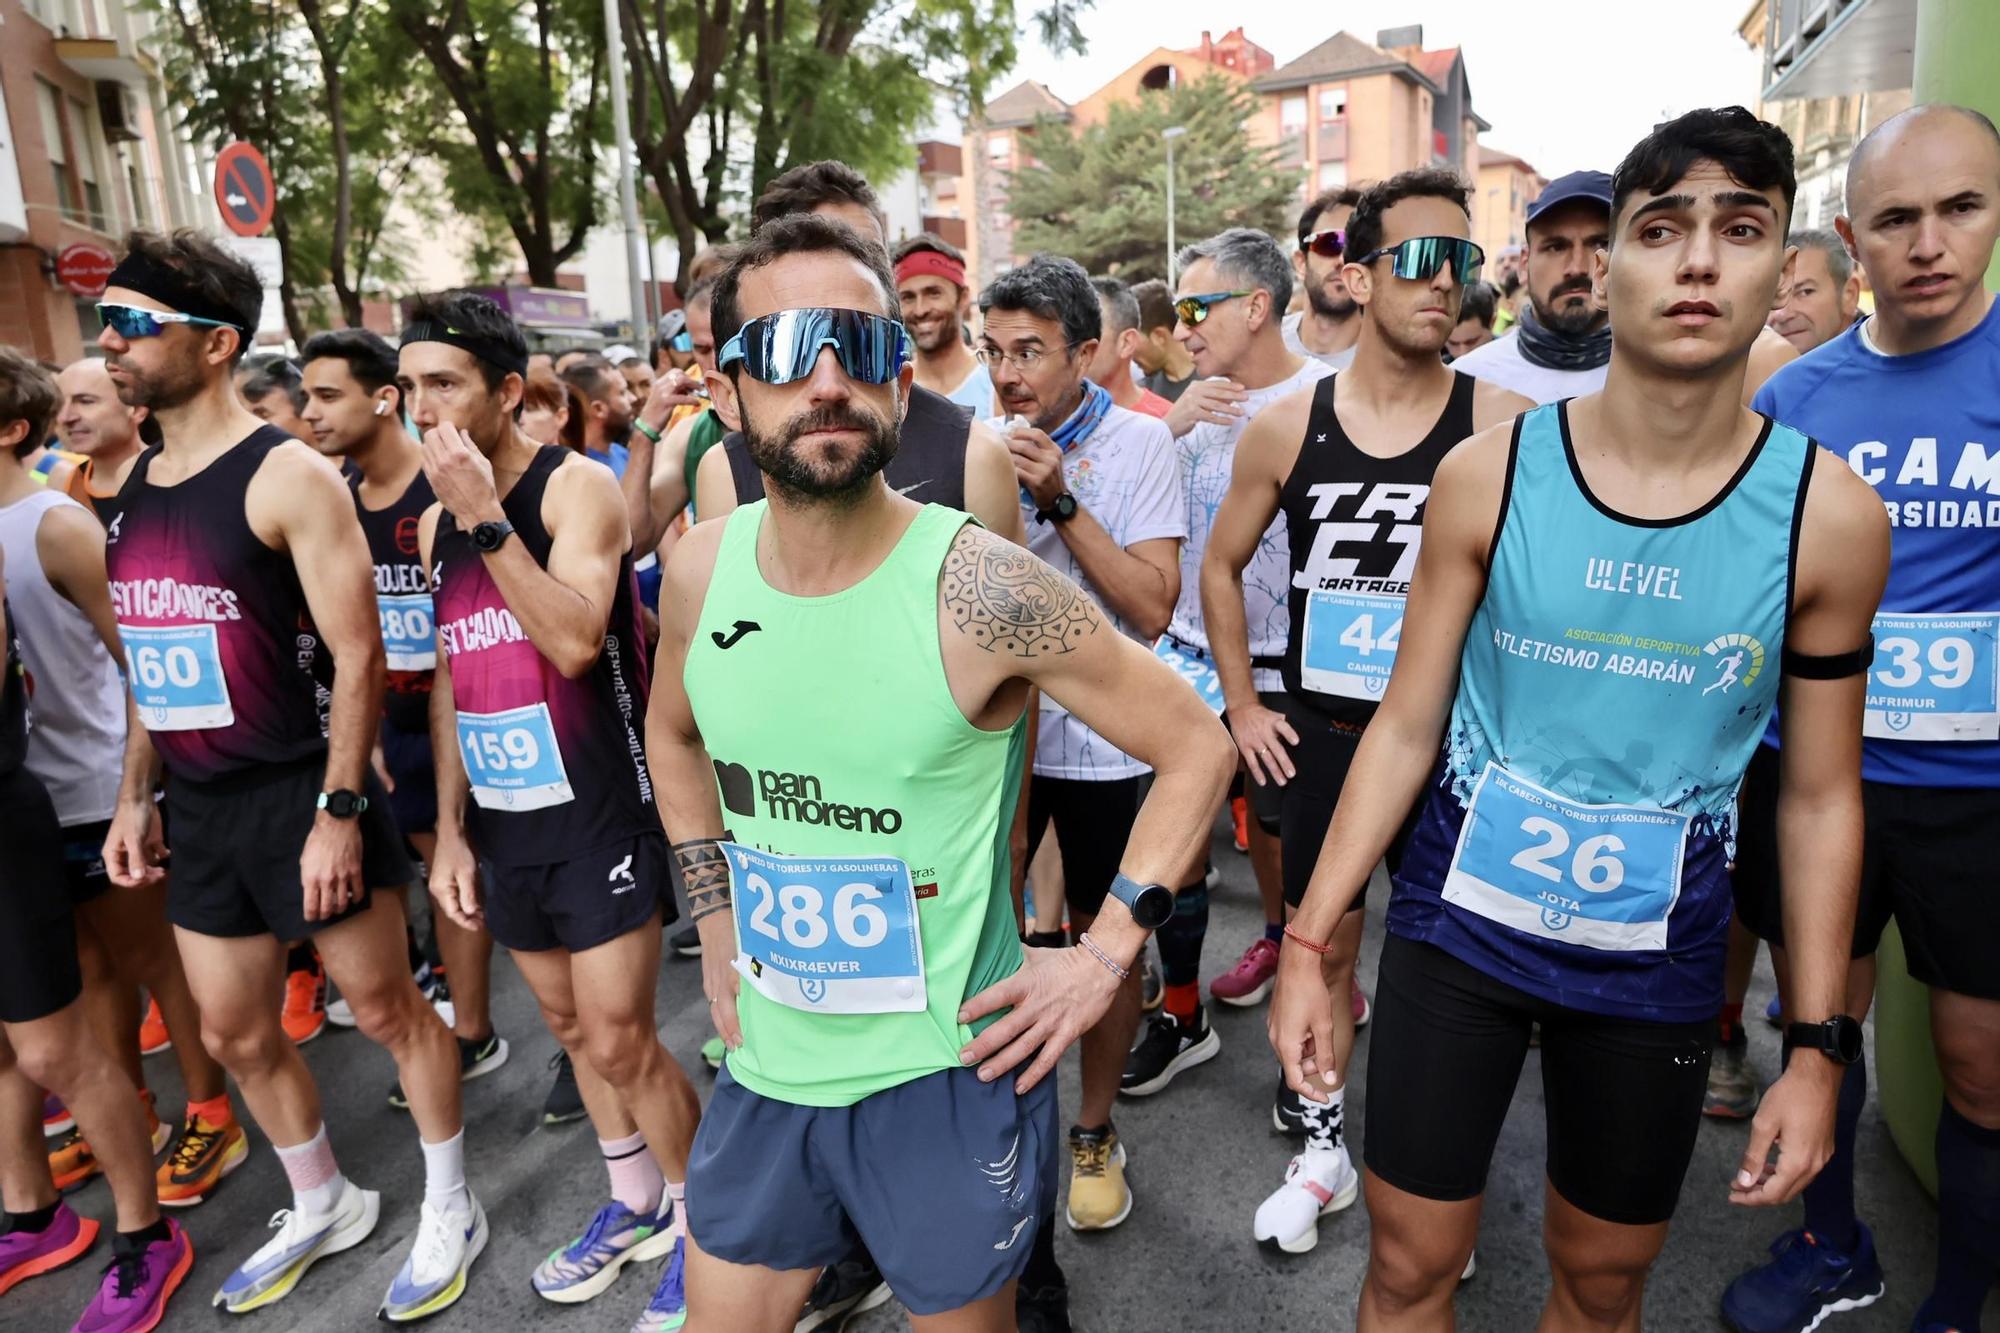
[1355,525]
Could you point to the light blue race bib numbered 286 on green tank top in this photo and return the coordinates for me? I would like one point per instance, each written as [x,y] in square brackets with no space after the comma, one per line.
[825,934]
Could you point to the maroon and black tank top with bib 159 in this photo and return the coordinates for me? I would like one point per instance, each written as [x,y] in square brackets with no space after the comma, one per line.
[557,766]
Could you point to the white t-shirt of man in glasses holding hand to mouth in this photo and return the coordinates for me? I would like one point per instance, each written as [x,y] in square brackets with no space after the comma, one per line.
[1129,477]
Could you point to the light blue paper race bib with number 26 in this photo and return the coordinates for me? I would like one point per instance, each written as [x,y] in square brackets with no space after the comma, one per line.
[1595,876]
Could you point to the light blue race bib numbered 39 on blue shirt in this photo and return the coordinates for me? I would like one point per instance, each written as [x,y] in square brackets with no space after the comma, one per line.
[1935,680]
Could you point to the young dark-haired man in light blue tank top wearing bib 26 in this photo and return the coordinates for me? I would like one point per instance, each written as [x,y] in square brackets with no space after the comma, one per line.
[1579,579]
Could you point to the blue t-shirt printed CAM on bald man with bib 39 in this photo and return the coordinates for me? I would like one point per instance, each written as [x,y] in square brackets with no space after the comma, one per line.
[1923,431]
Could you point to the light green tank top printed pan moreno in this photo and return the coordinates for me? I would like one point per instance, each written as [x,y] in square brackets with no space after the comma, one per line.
[835,734]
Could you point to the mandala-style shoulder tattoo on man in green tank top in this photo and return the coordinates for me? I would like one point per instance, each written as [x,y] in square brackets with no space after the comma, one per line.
[1009,601]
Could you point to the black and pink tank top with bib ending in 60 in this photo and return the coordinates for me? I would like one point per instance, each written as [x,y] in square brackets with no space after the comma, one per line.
[219,643]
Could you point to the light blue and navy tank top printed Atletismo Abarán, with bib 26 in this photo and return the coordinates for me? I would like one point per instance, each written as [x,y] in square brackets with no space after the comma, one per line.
[1613,688]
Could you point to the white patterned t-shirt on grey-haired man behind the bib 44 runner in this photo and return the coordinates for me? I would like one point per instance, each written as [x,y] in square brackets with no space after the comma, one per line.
[1207,465]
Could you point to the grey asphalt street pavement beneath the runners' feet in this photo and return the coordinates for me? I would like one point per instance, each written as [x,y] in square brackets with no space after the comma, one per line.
[1203,1158]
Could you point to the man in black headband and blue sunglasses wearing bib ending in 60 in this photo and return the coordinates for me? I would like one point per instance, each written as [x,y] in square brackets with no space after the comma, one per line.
[235,543]
